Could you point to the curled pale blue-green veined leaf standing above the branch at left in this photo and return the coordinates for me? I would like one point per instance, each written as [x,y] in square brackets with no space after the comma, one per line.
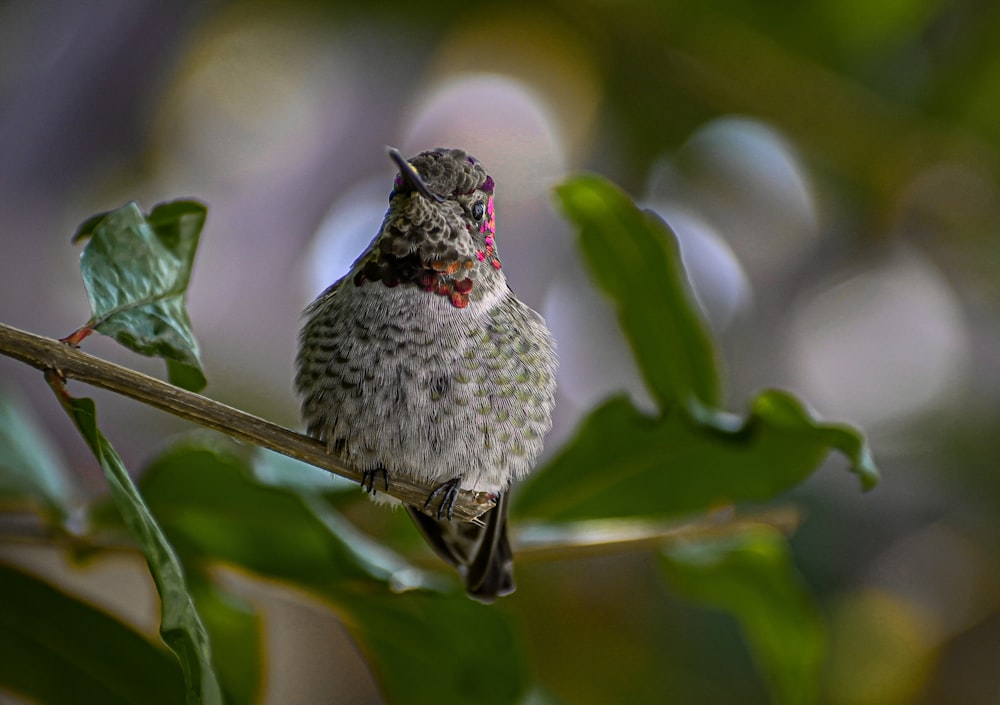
[136,269]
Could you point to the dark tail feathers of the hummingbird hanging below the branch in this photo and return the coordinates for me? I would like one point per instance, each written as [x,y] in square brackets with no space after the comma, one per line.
[480,552]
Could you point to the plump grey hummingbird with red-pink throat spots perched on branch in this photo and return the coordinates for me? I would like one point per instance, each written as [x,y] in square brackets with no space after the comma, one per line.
[421,363]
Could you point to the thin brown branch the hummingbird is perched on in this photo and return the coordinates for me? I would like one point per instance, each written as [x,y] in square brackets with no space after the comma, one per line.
[48,354]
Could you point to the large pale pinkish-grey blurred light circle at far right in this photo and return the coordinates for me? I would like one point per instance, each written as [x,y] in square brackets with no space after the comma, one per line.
[884,346]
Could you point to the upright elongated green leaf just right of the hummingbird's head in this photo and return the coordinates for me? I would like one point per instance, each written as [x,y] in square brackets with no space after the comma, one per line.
[635,258]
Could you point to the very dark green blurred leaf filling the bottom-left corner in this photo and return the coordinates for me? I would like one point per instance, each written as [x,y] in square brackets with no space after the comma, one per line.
[55,649]
